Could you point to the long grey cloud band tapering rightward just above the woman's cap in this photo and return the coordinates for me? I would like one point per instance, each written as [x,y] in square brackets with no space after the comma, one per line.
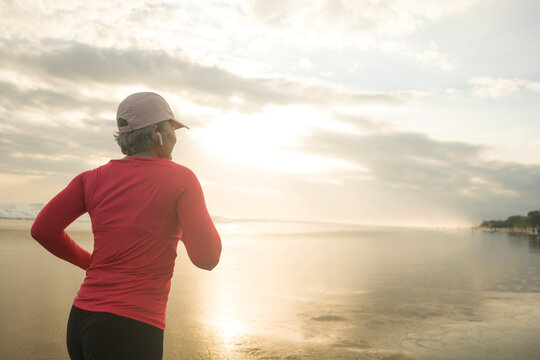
[74,63]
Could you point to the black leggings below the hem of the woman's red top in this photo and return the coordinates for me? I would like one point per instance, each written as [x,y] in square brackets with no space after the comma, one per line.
[103,336]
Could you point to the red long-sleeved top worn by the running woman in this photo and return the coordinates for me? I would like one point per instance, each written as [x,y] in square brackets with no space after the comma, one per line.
[139,209]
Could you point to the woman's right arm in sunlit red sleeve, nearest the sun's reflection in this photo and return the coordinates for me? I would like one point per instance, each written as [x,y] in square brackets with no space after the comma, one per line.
[200,236]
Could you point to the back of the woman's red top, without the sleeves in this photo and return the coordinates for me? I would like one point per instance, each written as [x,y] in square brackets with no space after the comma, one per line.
[133,206]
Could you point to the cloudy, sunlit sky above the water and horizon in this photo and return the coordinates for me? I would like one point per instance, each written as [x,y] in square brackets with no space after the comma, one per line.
[396,112]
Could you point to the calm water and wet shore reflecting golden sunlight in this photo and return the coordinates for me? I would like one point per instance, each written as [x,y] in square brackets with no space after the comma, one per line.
[307,291]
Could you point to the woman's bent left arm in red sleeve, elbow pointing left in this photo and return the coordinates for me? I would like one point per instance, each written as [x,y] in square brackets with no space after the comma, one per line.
[62,210]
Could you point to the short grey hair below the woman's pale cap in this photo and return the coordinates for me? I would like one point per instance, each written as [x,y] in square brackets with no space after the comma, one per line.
[142,139]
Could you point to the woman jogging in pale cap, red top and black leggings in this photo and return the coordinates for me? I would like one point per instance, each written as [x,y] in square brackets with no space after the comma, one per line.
[140,206]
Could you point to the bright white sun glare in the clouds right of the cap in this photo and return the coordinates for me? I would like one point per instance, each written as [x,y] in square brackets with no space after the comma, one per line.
[270,140]
